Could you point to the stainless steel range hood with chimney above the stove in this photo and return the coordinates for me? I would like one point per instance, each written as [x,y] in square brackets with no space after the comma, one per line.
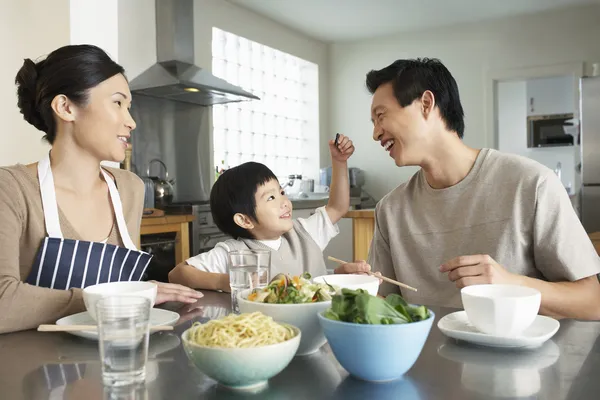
[174,76]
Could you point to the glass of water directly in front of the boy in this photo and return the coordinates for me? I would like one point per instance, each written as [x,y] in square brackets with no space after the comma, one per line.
[248,269]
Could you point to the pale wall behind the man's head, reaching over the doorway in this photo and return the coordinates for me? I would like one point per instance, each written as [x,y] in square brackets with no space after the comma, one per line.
[470,52]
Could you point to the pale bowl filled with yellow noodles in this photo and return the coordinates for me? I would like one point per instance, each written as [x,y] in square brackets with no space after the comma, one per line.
[241,352]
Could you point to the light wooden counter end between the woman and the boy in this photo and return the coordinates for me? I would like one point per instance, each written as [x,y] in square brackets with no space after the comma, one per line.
[171,223]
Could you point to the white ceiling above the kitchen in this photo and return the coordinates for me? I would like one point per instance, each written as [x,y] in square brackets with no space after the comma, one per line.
[345,20]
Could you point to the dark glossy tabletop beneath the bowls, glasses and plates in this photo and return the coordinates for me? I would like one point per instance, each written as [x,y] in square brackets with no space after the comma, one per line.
[567,367]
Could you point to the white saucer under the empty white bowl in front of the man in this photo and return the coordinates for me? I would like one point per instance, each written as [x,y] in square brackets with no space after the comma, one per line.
[457,326]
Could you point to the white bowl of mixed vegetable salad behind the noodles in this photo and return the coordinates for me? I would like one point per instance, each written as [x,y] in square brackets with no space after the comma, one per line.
[293,300]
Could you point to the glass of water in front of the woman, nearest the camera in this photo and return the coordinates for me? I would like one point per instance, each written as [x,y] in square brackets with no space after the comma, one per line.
[123,328]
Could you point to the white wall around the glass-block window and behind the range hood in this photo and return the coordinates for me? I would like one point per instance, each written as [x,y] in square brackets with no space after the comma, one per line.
[137,42]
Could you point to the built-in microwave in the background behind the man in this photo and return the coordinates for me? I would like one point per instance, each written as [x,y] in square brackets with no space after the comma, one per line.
[549,130]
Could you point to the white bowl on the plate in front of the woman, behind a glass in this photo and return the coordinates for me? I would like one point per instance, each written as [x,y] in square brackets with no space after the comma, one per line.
[92,294]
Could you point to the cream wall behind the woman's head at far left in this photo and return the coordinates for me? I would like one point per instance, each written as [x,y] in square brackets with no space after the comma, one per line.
[28,29]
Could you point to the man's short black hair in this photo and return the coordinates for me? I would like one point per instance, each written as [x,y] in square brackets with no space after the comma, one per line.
[410,78]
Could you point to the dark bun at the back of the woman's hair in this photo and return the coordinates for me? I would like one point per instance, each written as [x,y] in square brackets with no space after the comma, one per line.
[26,81]
